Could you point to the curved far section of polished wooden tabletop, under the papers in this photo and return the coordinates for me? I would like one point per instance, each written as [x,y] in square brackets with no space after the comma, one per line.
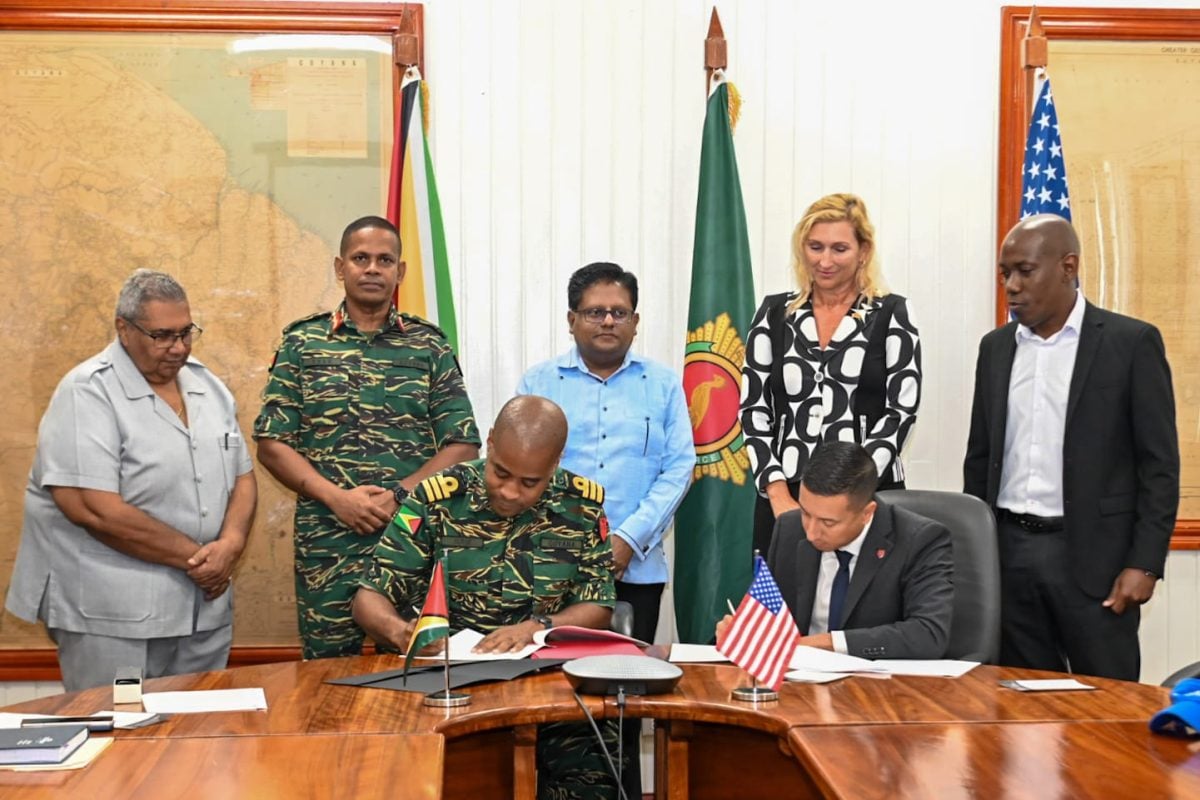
[302,703]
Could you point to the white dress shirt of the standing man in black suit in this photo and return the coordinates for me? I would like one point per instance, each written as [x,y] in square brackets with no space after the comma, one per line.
[1031,477]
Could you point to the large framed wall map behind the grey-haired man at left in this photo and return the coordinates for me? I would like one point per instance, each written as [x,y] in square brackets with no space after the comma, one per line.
[227,146]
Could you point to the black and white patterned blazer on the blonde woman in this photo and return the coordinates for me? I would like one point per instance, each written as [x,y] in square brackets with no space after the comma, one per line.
[820,388]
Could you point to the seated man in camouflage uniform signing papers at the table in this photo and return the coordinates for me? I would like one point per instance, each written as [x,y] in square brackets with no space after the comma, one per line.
[527,550]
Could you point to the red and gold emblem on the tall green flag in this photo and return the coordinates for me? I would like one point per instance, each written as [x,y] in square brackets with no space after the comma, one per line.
[712,383]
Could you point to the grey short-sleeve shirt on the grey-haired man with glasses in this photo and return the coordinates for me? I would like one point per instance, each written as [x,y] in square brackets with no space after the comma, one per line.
[106,430]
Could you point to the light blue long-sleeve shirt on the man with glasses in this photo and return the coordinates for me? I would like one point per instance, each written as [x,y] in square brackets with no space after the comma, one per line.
[632,435]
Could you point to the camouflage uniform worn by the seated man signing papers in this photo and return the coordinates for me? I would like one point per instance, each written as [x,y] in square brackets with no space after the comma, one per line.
[500,572]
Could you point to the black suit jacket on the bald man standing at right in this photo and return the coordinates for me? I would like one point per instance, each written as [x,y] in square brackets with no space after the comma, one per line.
[1121,453]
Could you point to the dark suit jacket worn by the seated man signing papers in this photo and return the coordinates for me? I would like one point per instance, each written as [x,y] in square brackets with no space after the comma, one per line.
[902,593]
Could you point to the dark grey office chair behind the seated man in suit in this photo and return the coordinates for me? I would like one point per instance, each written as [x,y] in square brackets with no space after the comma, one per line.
[975,625]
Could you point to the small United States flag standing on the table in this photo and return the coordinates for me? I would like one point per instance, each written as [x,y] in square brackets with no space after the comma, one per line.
[763,637]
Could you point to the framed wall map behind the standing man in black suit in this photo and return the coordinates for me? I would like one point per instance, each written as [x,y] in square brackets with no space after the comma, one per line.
[1125,87]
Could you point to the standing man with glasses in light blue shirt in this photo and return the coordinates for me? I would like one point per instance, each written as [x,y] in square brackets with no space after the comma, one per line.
[628,430]
